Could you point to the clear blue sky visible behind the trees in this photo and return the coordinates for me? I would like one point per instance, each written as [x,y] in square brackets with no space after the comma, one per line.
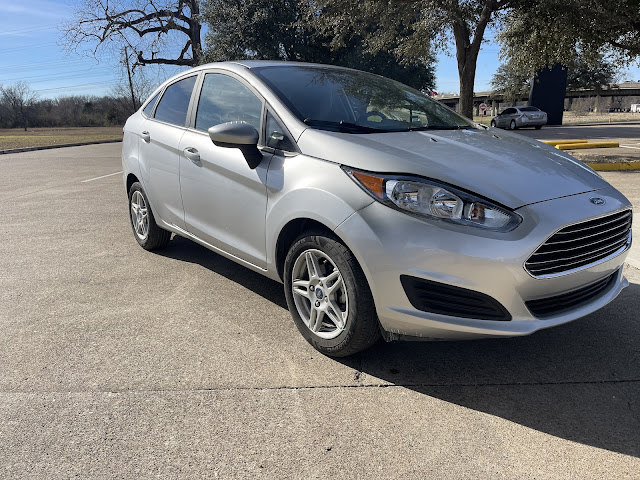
[31,51]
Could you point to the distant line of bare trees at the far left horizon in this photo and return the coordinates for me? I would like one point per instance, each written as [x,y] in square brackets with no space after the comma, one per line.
[72,111]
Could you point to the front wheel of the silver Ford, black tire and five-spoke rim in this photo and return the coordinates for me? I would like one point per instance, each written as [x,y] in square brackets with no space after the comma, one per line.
[337,323]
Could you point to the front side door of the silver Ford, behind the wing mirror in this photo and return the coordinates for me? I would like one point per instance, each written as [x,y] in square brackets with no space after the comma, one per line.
[224,200]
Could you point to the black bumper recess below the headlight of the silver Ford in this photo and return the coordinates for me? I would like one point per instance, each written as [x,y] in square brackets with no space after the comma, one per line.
[445,299]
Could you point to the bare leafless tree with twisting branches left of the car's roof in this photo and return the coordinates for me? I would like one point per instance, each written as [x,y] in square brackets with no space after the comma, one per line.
[148,27]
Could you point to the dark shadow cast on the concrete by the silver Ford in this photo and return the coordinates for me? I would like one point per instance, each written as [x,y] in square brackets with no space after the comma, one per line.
[579,381]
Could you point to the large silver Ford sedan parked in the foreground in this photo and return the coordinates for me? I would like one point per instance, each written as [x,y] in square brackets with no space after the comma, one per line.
[382,212]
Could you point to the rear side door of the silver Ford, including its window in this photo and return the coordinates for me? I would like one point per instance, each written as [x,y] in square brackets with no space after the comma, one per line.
[159,150]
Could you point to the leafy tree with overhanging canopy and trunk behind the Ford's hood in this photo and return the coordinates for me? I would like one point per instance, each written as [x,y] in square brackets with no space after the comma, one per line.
[535,34]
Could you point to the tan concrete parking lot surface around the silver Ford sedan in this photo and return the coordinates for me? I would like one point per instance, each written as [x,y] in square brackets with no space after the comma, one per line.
[120,363]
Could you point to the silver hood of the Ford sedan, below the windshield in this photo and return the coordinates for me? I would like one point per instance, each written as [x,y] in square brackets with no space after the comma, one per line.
[505,167]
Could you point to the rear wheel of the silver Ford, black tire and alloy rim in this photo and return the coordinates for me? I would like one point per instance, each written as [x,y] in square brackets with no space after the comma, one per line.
[145,230]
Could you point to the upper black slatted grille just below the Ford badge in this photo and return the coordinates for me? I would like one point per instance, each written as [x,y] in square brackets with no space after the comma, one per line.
[581,244]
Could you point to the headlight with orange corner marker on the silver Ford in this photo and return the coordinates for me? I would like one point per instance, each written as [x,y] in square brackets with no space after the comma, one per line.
[432,200]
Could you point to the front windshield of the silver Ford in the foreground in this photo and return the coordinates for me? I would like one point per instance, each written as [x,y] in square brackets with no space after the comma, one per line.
[351,101]
